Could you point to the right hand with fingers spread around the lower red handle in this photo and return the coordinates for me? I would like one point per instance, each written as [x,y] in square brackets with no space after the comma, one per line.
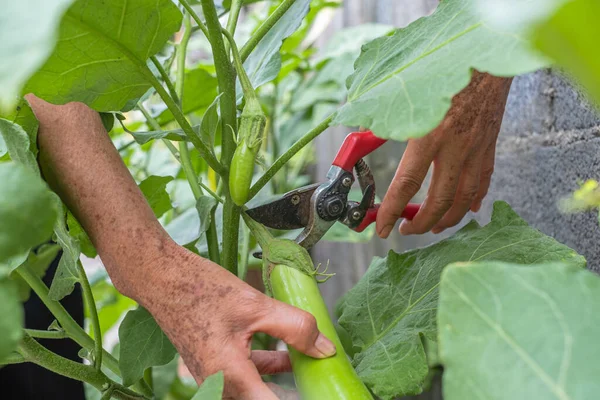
[462,149]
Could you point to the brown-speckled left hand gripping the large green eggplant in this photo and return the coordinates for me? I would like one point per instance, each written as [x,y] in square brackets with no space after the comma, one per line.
[210,316]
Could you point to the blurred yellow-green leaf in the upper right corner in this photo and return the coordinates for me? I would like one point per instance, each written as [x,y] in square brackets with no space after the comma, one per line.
[571,38]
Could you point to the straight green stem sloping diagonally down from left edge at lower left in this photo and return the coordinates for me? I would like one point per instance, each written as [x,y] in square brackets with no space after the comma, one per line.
[70,326]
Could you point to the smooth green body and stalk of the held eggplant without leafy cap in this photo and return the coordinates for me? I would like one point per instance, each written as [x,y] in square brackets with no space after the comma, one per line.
[331,378]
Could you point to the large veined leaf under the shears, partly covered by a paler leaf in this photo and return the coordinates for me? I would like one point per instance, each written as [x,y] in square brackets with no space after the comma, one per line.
[394,305]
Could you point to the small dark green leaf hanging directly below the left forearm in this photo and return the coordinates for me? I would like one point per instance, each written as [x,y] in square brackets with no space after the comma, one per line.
[143,345]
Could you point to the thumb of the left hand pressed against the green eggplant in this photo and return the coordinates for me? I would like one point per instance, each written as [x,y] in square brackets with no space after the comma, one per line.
[297,328]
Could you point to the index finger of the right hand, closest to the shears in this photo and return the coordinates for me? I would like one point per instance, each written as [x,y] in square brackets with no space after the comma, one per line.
[406,183]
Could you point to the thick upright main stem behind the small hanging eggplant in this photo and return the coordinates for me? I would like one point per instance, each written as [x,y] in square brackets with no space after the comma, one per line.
[226,80]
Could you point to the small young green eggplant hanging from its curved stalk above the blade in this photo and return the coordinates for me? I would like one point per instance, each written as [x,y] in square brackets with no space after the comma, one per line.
[251,130]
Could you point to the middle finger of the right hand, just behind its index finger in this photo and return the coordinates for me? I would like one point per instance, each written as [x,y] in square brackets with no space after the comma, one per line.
[440,197]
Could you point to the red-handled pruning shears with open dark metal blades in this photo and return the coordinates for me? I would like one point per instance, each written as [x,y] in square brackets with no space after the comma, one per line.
[317,207]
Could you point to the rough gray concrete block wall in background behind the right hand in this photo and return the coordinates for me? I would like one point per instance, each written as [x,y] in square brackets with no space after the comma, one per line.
[550,139]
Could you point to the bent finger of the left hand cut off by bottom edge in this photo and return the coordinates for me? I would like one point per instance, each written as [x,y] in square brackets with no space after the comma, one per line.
[243,382]
